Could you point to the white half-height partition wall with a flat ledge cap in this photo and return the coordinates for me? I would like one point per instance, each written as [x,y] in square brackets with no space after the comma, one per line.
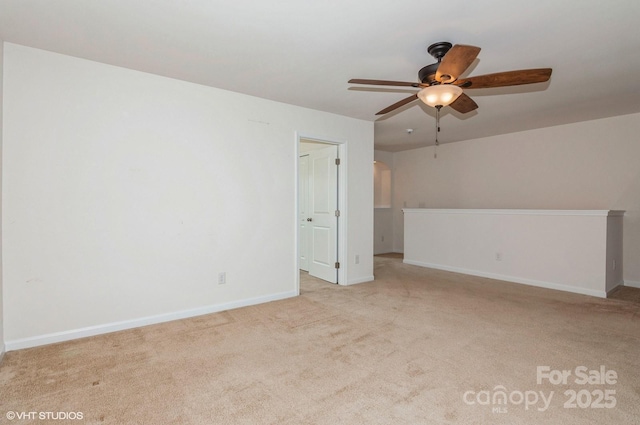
[570,250]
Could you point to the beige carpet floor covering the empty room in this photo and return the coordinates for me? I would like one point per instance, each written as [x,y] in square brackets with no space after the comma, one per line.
[417,346]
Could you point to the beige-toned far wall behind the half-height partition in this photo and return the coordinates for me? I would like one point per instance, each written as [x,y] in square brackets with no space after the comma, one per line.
[589,165]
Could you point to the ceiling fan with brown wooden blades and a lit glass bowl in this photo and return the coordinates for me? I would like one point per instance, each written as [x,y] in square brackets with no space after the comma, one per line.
[440,83]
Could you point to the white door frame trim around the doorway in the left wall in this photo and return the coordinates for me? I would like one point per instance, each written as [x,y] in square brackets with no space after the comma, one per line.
[342,203]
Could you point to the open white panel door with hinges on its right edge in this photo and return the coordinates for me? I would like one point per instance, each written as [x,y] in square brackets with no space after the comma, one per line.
[323,196]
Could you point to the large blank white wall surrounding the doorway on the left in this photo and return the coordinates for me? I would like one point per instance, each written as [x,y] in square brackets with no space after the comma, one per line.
[126,194]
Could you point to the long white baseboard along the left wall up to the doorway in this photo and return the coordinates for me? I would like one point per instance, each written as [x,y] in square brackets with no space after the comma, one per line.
[18,344]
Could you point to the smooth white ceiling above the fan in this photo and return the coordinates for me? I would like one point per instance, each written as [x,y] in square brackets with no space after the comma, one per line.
[303,52]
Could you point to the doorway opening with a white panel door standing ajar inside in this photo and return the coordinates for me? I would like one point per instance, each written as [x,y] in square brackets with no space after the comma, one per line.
[320,199]
